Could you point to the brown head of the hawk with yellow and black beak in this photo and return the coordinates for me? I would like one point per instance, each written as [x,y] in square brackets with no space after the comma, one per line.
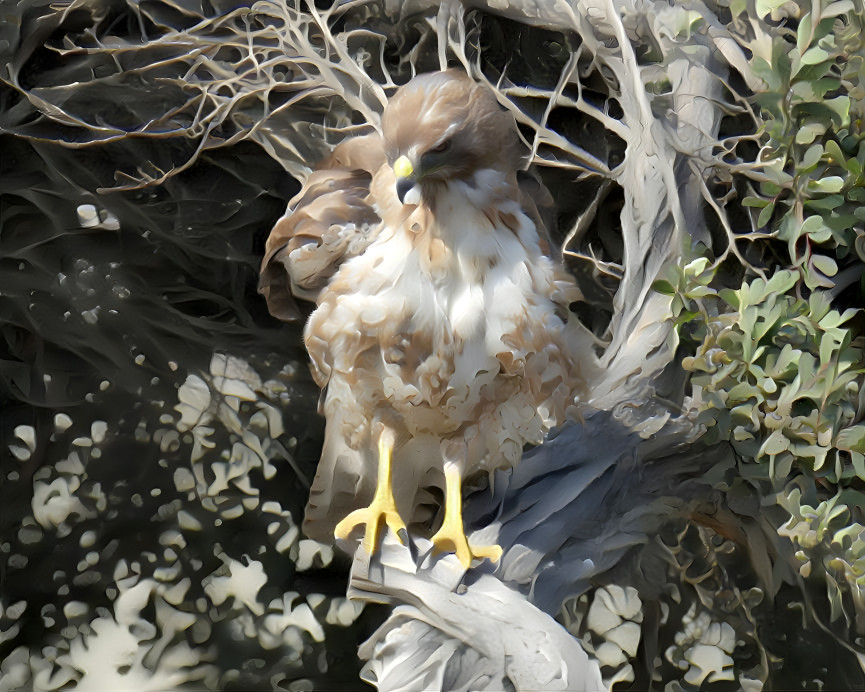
[442,126]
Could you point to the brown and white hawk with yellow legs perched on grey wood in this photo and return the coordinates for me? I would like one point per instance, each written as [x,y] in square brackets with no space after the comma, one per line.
[439,332]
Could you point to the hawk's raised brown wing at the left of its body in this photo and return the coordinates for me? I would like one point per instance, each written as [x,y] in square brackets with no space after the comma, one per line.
[331,219]
